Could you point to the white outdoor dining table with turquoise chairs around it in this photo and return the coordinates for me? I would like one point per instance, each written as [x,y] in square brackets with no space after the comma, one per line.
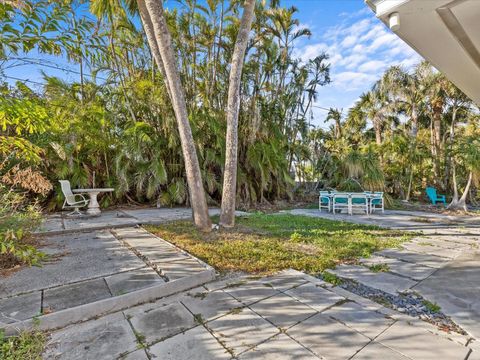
[348,202]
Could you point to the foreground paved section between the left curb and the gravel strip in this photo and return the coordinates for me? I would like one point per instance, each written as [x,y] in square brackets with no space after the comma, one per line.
[192,325]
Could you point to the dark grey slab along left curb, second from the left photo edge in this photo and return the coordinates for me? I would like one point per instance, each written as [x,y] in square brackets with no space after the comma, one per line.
[68,296]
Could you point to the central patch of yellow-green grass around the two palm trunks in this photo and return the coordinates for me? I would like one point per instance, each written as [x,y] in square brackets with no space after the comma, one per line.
[265,243]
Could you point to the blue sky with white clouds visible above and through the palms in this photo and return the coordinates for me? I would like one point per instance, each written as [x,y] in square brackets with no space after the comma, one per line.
[359,45]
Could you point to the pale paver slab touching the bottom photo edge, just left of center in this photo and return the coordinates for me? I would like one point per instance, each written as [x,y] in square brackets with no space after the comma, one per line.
[196,343]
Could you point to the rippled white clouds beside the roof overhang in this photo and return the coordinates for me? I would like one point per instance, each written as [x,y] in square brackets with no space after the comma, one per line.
[361,48]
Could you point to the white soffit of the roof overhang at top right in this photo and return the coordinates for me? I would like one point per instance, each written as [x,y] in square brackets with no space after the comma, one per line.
[445,32]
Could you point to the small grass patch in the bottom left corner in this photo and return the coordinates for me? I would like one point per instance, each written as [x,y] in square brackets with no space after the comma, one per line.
[28,345]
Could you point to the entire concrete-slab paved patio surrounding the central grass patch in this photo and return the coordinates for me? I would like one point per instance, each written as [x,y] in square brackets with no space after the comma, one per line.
[289,315]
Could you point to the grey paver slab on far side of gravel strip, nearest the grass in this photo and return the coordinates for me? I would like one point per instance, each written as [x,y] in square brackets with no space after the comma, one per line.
[384,281]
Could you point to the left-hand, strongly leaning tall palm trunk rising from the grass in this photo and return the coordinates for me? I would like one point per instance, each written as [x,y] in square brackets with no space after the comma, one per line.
[194,177]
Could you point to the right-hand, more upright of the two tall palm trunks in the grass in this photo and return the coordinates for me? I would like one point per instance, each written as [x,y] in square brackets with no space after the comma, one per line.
[227,216]
